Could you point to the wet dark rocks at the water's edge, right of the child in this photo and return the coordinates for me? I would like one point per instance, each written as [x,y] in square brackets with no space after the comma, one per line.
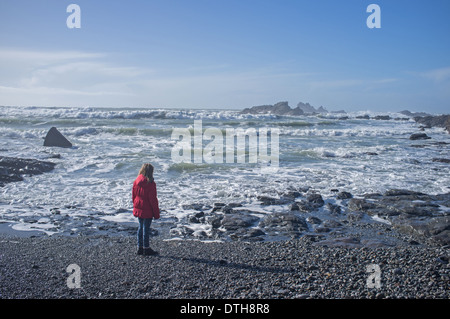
[395,218]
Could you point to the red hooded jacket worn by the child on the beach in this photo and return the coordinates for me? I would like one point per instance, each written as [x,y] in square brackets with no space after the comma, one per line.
[145,201]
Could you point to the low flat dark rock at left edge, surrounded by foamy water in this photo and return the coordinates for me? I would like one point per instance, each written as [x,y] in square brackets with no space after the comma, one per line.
[14,169]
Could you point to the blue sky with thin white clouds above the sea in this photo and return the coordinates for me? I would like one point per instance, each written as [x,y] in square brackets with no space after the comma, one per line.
[226,54]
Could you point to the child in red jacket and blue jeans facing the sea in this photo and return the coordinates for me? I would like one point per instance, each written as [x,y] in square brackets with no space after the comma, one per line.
[145,207]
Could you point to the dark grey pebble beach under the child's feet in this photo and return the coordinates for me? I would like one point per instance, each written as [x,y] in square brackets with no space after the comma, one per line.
[35,267]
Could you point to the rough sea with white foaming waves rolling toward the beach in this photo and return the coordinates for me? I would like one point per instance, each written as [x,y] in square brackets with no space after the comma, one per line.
[92,181]
